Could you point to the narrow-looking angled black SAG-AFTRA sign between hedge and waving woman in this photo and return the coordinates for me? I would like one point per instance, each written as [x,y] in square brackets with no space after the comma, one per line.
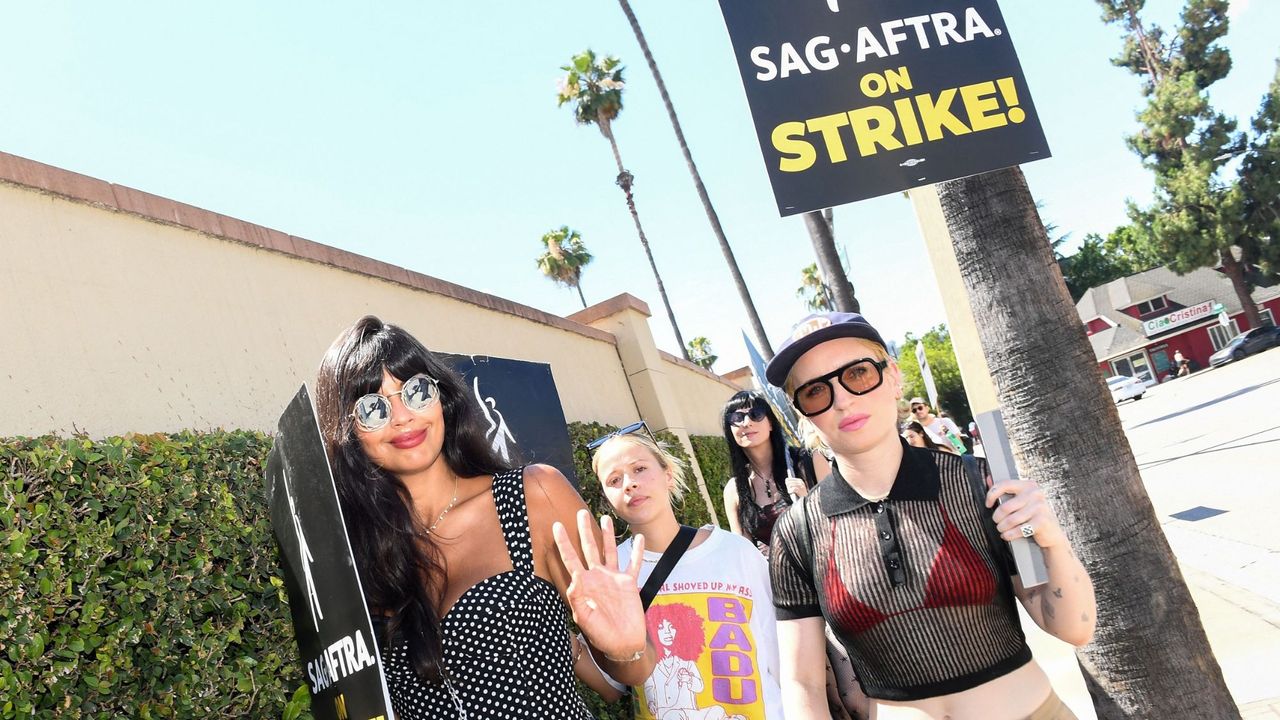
[336,640]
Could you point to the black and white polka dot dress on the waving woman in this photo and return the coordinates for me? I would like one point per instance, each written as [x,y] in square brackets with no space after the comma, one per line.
[506,644]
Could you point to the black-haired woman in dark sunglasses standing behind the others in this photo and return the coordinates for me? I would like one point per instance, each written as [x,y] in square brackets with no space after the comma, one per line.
[765,470]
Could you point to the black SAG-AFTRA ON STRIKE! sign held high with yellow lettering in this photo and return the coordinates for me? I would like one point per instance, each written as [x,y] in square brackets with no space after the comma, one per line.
[854,99]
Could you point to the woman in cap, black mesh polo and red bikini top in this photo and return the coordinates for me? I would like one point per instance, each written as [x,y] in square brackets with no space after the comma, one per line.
[902,553]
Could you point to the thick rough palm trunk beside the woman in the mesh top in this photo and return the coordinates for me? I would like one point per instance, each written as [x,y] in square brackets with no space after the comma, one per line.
[1150,657]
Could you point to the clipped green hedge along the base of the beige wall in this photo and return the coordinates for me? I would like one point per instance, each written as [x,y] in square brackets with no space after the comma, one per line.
[139,577]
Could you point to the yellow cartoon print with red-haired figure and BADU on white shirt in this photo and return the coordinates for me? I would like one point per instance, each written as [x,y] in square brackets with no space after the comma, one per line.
[706,663]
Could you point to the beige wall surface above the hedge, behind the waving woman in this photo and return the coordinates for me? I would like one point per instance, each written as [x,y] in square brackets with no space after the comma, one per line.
[117,323]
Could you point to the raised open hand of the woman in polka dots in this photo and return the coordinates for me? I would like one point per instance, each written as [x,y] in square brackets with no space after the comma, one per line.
[606,601]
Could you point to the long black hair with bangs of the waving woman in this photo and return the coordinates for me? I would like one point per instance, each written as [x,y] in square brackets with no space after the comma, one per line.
[401,569]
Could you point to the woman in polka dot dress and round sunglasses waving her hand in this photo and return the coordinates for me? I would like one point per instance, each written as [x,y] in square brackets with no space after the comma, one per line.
[465,563]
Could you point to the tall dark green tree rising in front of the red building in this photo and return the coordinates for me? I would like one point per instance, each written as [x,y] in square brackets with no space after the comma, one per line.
[1200,217]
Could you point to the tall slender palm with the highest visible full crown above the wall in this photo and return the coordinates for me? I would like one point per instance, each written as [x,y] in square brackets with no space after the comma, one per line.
[596,90]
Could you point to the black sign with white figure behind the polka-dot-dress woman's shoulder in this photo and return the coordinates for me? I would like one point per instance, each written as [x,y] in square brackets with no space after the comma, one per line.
[522,407]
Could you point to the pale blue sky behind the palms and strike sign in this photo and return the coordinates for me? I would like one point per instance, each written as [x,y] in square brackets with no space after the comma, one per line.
[427,135]
